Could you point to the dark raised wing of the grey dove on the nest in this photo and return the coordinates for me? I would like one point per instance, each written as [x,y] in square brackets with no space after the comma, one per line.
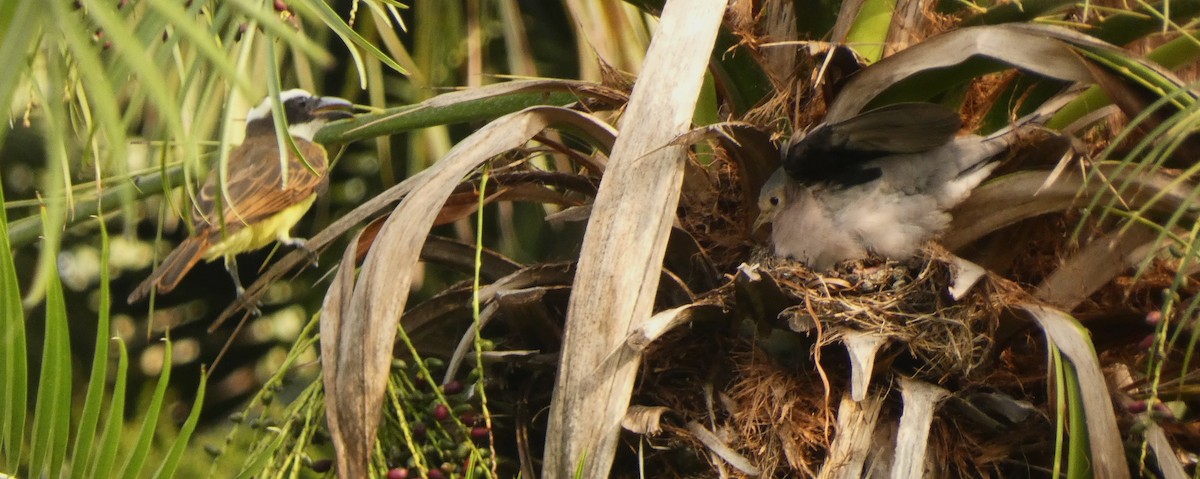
[839,153]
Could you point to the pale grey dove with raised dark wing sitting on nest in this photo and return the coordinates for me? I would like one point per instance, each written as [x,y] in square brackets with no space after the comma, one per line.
[878,183]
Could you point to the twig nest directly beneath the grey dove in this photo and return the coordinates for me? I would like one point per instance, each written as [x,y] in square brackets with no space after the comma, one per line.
[908,303]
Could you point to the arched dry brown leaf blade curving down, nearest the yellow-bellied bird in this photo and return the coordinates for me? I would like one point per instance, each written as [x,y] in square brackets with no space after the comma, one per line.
[361,340]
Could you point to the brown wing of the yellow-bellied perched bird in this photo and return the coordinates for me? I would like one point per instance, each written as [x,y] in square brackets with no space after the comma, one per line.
[255,188]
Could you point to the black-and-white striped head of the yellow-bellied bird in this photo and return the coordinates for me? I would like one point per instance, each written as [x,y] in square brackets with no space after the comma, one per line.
[307,115]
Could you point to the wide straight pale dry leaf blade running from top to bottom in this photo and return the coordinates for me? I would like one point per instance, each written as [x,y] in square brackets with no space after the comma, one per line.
[626,244]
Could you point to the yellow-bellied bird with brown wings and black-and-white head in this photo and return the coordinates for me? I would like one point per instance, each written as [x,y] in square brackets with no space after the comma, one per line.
[259,206]
